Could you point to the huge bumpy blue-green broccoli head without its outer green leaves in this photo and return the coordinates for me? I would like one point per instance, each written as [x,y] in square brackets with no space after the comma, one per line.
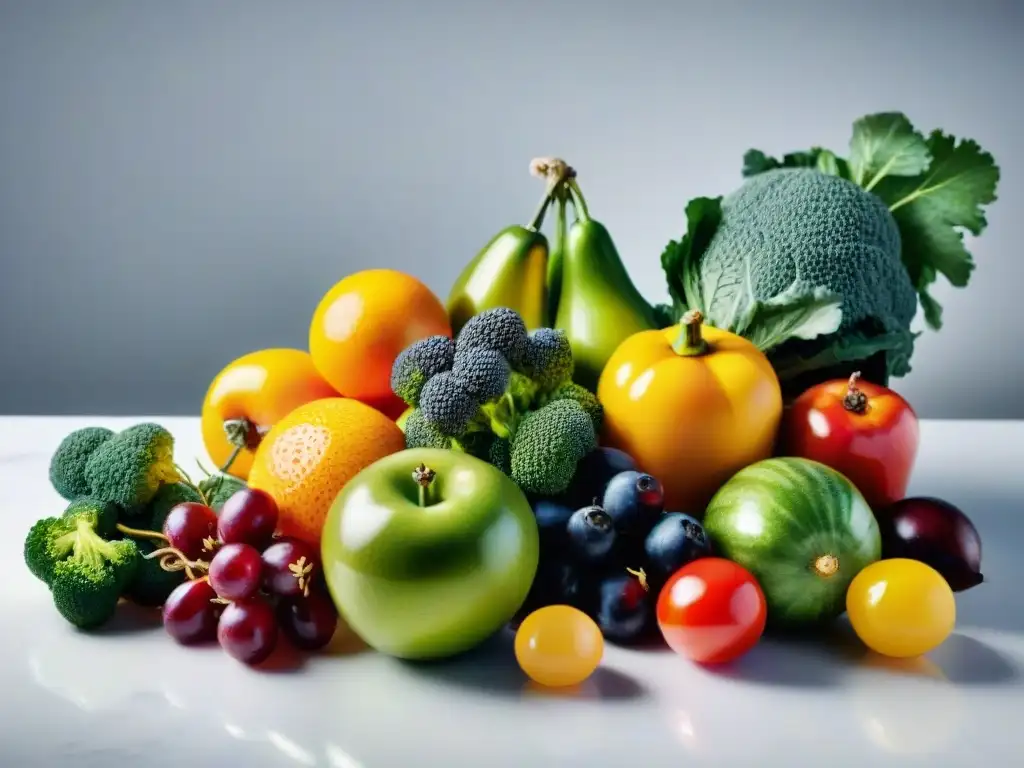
[798,227]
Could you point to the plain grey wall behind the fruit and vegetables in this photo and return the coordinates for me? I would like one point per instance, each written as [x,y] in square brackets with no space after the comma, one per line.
[182,182]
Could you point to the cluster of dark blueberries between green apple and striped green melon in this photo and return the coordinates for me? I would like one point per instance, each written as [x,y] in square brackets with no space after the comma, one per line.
[608,547]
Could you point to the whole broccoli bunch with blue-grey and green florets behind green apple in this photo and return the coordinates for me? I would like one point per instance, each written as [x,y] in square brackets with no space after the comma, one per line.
[505,396]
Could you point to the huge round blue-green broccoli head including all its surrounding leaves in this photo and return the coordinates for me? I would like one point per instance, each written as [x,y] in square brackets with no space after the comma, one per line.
[822,261]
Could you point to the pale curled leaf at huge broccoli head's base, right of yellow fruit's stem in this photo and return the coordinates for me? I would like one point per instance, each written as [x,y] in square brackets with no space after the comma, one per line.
[799,313]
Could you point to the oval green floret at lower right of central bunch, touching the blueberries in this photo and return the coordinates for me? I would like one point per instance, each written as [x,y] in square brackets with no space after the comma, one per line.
[548,446]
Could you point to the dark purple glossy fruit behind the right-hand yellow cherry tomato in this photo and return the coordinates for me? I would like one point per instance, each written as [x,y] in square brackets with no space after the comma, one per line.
[936,533]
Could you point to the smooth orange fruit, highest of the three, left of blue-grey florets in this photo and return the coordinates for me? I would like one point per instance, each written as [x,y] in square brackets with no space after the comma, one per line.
[364,323]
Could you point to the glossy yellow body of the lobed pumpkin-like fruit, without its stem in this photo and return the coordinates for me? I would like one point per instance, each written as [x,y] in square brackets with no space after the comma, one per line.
[691,421]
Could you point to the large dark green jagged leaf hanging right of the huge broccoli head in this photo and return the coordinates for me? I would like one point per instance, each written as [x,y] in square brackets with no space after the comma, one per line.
[934,208]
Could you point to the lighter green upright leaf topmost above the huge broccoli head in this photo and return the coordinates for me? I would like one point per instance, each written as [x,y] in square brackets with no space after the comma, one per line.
[886,145]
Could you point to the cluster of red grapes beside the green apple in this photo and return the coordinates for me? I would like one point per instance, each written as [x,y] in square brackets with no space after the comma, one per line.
[259,587]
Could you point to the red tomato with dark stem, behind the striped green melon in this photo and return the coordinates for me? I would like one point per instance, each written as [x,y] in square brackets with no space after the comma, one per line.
[866,432]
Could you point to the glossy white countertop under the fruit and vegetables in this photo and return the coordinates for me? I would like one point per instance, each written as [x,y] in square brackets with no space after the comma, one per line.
[131,697]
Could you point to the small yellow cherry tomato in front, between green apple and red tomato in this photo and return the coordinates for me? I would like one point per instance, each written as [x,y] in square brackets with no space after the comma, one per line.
[559,647]
